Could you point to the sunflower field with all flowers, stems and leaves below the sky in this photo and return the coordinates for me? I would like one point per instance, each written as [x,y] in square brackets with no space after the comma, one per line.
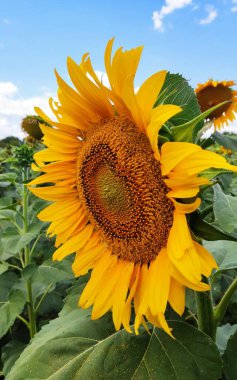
[118,230]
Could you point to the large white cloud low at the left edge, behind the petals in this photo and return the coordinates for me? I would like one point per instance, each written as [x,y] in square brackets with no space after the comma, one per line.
[14,107]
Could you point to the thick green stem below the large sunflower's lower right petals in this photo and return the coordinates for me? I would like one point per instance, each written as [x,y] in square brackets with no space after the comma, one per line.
[205,313]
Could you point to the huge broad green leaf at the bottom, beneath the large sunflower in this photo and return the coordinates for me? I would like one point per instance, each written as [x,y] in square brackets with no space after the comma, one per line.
[79,348]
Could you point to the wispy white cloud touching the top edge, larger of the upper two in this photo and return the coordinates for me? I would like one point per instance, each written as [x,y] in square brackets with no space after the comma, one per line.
[169,7]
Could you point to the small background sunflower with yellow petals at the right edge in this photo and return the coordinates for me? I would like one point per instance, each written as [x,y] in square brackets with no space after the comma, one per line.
[212,93]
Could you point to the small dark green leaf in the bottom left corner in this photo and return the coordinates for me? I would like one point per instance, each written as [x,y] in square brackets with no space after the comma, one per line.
[10,353]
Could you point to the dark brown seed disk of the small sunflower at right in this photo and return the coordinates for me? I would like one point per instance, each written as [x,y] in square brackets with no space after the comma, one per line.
[211,96]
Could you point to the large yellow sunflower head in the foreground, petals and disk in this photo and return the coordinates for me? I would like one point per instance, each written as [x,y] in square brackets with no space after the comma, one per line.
[118,199]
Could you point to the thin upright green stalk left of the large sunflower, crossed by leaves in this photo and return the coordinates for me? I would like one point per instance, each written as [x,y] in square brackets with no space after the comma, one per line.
[30,306]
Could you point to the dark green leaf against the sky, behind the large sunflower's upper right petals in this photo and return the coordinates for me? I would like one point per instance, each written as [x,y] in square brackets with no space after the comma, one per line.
[176,90]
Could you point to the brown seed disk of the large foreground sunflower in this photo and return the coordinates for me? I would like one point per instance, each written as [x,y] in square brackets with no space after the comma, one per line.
[122,189]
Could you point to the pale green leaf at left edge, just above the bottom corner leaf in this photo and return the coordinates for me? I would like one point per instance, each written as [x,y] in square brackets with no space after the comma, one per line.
[10,309]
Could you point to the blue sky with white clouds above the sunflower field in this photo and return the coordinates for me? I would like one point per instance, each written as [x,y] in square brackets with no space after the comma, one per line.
[192,37]
